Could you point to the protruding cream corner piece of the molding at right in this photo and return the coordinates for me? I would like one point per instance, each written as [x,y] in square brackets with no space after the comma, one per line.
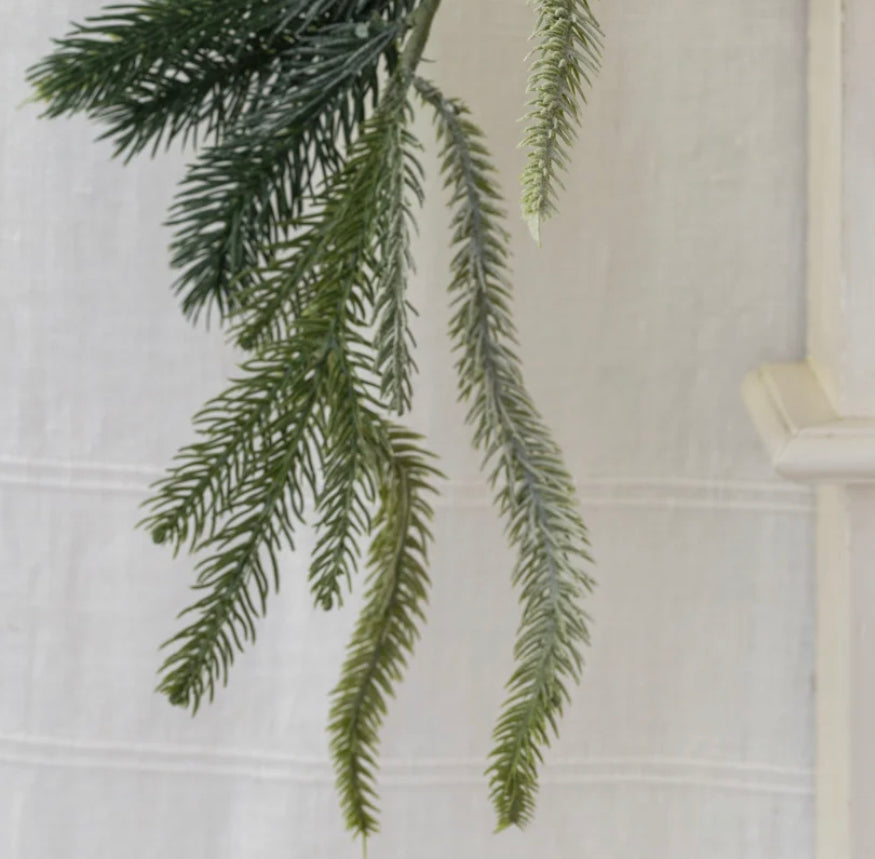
[806,439]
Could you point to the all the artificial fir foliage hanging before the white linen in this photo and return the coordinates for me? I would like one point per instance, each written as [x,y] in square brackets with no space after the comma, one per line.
[293,225]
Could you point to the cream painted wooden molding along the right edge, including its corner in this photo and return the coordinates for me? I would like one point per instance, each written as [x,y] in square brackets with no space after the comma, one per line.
[817,418]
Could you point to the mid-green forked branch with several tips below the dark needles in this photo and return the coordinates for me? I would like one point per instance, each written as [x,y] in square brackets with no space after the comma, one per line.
[295,415]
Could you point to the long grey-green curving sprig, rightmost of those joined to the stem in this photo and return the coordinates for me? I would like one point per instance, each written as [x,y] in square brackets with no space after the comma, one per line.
[535,493]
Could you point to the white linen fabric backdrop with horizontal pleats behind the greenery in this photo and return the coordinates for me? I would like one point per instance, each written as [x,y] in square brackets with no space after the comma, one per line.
[675,266]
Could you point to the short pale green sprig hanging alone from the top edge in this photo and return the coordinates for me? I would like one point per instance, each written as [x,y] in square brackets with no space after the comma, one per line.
[567,57]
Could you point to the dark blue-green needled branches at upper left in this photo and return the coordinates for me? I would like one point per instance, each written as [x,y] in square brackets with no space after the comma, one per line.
[280,85]
